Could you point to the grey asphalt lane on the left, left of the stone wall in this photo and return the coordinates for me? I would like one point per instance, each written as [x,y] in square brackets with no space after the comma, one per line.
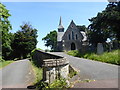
[17,75]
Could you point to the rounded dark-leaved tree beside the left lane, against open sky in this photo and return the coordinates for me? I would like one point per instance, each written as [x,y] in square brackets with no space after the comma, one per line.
[25,40]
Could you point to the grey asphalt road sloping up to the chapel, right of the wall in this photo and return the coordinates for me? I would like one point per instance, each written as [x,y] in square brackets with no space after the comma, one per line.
[94,70]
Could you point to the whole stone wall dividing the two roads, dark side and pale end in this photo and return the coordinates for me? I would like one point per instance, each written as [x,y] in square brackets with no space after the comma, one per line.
[54,66]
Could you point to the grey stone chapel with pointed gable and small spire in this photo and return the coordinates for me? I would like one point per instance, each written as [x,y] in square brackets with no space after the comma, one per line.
[71,39]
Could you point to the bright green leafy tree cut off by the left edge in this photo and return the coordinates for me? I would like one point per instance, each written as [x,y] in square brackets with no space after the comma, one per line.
[5,26]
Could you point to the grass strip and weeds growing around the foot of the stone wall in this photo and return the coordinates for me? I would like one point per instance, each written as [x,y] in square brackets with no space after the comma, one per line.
[40,85]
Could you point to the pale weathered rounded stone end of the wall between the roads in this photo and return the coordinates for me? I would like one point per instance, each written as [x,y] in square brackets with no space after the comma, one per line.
[54,69]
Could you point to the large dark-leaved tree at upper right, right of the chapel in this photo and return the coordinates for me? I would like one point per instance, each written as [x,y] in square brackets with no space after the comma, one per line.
[105,24]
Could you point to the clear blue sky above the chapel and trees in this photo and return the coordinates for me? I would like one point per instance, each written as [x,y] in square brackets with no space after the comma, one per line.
[45,16]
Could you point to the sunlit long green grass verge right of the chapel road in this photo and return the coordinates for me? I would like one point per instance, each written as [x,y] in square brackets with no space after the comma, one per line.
[107,57]
